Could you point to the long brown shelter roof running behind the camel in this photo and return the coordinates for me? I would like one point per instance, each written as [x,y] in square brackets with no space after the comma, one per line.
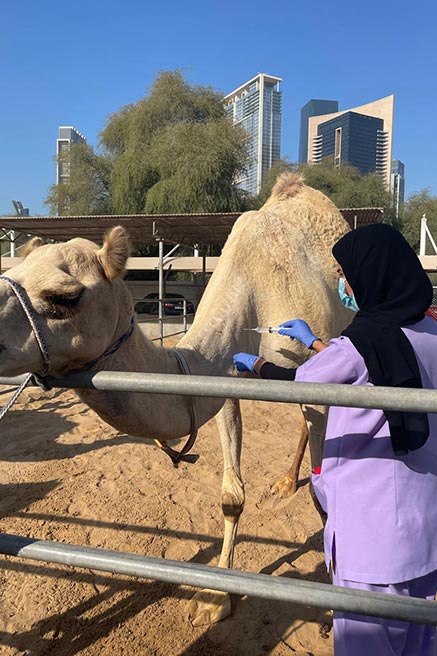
[186,229]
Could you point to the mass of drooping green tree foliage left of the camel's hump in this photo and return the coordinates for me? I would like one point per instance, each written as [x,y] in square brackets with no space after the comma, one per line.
[172,151]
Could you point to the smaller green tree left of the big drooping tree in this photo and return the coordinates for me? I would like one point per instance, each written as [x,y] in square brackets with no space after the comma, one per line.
[88,188]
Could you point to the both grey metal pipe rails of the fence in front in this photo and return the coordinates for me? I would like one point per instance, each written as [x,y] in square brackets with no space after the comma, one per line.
[264,586]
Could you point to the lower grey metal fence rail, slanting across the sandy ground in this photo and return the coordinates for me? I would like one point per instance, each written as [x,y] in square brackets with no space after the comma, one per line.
[243,583]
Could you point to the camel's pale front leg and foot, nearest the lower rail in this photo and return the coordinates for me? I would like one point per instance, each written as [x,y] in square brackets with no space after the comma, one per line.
[209,606]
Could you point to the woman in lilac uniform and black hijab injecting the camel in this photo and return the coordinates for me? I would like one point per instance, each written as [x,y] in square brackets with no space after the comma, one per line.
[378,480]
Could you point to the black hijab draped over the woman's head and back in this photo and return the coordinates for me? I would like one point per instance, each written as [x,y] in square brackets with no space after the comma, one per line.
[392,290]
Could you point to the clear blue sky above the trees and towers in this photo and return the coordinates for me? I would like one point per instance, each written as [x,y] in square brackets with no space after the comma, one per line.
[76,63]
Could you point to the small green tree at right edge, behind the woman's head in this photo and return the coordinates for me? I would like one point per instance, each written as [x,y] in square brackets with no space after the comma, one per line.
[418,204]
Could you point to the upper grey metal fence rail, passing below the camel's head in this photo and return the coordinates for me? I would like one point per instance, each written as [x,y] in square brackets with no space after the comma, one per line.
[385,398]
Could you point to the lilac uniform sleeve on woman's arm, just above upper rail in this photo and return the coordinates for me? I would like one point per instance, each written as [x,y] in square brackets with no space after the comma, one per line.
[334,364]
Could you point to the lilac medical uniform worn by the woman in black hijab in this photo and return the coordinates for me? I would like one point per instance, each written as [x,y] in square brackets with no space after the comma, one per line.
[382,509]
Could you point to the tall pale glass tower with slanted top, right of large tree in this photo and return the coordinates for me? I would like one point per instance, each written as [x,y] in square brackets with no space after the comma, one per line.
[256,105]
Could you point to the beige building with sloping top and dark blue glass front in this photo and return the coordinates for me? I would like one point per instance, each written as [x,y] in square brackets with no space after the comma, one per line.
[361,136]
